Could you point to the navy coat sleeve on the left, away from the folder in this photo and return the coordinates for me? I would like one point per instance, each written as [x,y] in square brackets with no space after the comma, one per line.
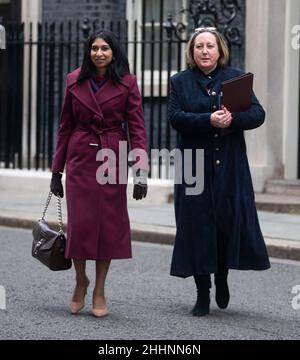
[183,121]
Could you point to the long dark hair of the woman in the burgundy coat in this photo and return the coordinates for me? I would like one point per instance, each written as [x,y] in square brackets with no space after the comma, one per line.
[116,69]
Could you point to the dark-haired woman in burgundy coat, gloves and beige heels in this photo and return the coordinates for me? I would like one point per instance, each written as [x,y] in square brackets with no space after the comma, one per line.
[100,96]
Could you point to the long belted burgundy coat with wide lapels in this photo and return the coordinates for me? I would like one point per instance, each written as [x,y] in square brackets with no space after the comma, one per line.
[98,222]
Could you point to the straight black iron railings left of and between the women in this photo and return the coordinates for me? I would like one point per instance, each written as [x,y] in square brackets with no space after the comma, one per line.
[33,70]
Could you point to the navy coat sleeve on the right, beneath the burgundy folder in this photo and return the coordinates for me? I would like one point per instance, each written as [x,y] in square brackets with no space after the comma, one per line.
[249,119]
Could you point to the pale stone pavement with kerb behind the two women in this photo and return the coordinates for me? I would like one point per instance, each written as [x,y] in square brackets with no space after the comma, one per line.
[22,199]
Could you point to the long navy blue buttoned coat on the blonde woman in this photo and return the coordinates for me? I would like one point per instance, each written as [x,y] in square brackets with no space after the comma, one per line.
[219,227]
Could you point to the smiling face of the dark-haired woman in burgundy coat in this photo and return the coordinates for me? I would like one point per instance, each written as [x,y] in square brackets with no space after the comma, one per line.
[101,55]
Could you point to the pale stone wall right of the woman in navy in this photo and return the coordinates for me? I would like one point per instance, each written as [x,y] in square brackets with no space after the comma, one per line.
[272,148]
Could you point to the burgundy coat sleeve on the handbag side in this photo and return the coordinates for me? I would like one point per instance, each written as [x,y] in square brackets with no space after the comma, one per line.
[64,132]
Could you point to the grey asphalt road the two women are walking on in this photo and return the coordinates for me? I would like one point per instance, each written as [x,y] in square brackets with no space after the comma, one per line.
[144,301]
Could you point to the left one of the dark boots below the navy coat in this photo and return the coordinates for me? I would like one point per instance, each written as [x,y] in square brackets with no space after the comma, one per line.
[203,284]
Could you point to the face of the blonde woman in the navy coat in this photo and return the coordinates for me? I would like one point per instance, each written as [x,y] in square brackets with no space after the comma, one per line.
[206,52]
